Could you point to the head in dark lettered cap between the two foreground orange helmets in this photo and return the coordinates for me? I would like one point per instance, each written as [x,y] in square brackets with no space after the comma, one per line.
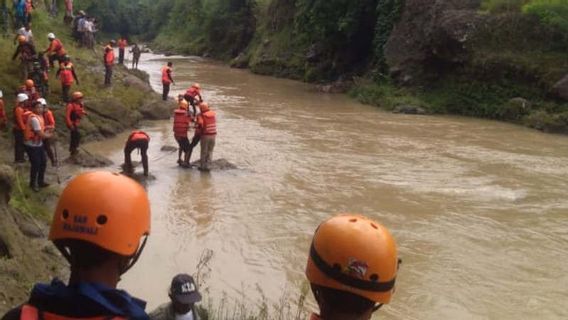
[183,293]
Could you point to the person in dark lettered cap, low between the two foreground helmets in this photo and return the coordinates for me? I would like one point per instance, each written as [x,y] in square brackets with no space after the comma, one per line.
[183,295]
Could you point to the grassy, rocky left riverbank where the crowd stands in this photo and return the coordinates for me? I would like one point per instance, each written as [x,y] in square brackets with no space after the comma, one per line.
[26,257]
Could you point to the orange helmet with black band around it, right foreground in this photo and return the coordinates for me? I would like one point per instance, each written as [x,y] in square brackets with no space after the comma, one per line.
[355,254]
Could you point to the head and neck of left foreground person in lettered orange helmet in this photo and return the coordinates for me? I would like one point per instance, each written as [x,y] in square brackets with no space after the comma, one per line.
[98,224]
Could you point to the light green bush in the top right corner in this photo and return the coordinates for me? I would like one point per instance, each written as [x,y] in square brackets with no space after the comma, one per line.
[553,13]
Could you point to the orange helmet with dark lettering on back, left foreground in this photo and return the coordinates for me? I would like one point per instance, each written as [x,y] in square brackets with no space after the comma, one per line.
[106,209]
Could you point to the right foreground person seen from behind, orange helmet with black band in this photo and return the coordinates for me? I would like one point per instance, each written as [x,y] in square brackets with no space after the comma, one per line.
[352,267]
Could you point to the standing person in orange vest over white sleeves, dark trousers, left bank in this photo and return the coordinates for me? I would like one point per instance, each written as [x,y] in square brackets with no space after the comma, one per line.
[34,134]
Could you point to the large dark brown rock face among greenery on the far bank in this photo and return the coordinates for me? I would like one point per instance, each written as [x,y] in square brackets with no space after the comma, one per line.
[430,37]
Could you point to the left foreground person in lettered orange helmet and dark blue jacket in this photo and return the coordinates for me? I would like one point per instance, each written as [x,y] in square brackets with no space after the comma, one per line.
[98,225]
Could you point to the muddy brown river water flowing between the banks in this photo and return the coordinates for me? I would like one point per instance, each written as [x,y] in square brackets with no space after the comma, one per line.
[479,209]
